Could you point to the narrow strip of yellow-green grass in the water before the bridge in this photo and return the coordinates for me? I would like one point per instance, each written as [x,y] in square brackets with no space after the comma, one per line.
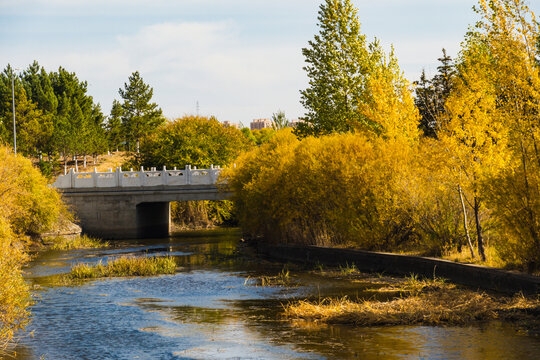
[125,266]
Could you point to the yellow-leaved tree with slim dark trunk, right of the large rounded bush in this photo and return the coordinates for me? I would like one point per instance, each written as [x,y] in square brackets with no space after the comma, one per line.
[473,131]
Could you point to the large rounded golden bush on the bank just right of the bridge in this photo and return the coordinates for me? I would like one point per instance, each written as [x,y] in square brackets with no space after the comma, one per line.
[346,189]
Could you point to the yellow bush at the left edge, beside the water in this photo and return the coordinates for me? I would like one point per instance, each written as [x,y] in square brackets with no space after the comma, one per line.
[27,207]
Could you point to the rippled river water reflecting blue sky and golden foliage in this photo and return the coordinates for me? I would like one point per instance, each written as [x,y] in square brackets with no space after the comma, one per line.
[208,310]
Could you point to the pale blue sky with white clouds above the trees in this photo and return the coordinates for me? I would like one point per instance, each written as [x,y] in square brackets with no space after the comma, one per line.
[238,60]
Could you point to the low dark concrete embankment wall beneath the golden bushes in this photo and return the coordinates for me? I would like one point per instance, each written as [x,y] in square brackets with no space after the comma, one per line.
[472,275]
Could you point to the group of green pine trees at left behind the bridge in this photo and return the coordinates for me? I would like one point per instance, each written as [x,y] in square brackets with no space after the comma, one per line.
[56,117]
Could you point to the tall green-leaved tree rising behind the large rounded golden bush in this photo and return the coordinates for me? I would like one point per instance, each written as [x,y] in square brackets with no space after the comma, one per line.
[338,61]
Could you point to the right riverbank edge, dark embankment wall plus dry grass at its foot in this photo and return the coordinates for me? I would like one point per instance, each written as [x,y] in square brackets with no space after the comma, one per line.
[424,298]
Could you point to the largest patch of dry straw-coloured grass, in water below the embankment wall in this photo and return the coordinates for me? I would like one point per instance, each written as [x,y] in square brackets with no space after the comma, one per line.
[421,302]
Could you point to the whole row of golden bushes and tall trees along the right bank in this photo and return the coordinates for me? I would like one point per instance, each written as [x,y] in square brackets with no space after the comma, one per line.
[455,166]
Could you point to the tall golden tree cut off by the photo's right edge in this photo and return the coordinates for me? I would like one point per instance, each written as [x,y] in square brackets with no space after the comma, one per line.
[510,31]
